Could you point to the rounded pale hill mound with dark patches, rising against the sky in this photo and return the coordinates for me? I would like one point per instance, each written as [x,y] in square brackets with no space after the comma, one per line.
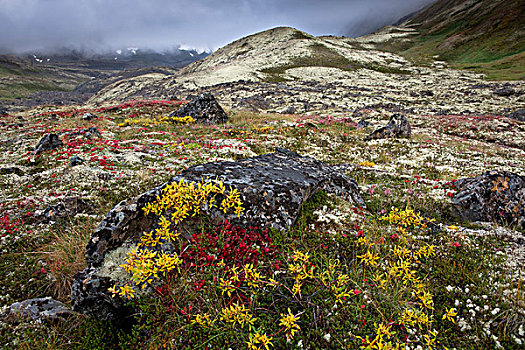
[278,55]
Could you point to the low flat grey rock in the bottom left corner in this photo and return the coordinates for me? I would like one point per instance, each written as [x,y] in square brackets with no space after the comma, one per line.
[44,309]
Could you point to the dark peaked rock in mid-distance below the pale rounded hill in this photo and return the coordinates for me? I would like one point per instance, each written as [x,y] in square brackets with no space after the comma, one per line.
[204,109]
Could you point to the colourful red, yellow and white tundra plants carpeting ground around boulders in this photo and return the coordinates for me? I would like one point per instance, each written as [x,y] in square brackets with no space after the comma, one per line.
[402,272]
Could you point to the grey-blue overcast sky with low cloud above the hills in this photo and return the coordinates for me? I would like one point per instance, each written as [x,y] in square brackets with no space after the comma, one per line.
[164,24]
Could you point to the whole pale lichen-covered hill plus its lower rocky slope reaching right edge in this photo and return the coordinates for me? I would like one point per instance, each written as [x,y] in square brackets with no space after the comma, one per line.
[286,70]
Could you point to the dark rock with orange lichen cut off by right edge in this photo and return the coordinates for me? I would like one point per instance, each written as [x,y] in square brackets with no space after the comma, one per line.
[494,196]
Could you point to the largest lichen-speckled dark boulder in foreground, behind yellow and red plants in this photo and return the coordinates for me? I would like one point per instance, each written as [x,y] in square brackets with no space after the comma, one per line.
[273,188]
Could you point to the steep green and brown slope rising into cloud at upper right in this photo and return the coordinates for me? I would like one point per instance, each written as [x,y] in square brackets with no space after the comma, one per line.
[484,35]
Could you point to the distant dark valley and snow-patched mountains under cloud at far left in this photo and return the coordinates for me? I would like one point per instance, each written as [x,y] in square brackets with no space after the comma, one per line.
[72,76]
